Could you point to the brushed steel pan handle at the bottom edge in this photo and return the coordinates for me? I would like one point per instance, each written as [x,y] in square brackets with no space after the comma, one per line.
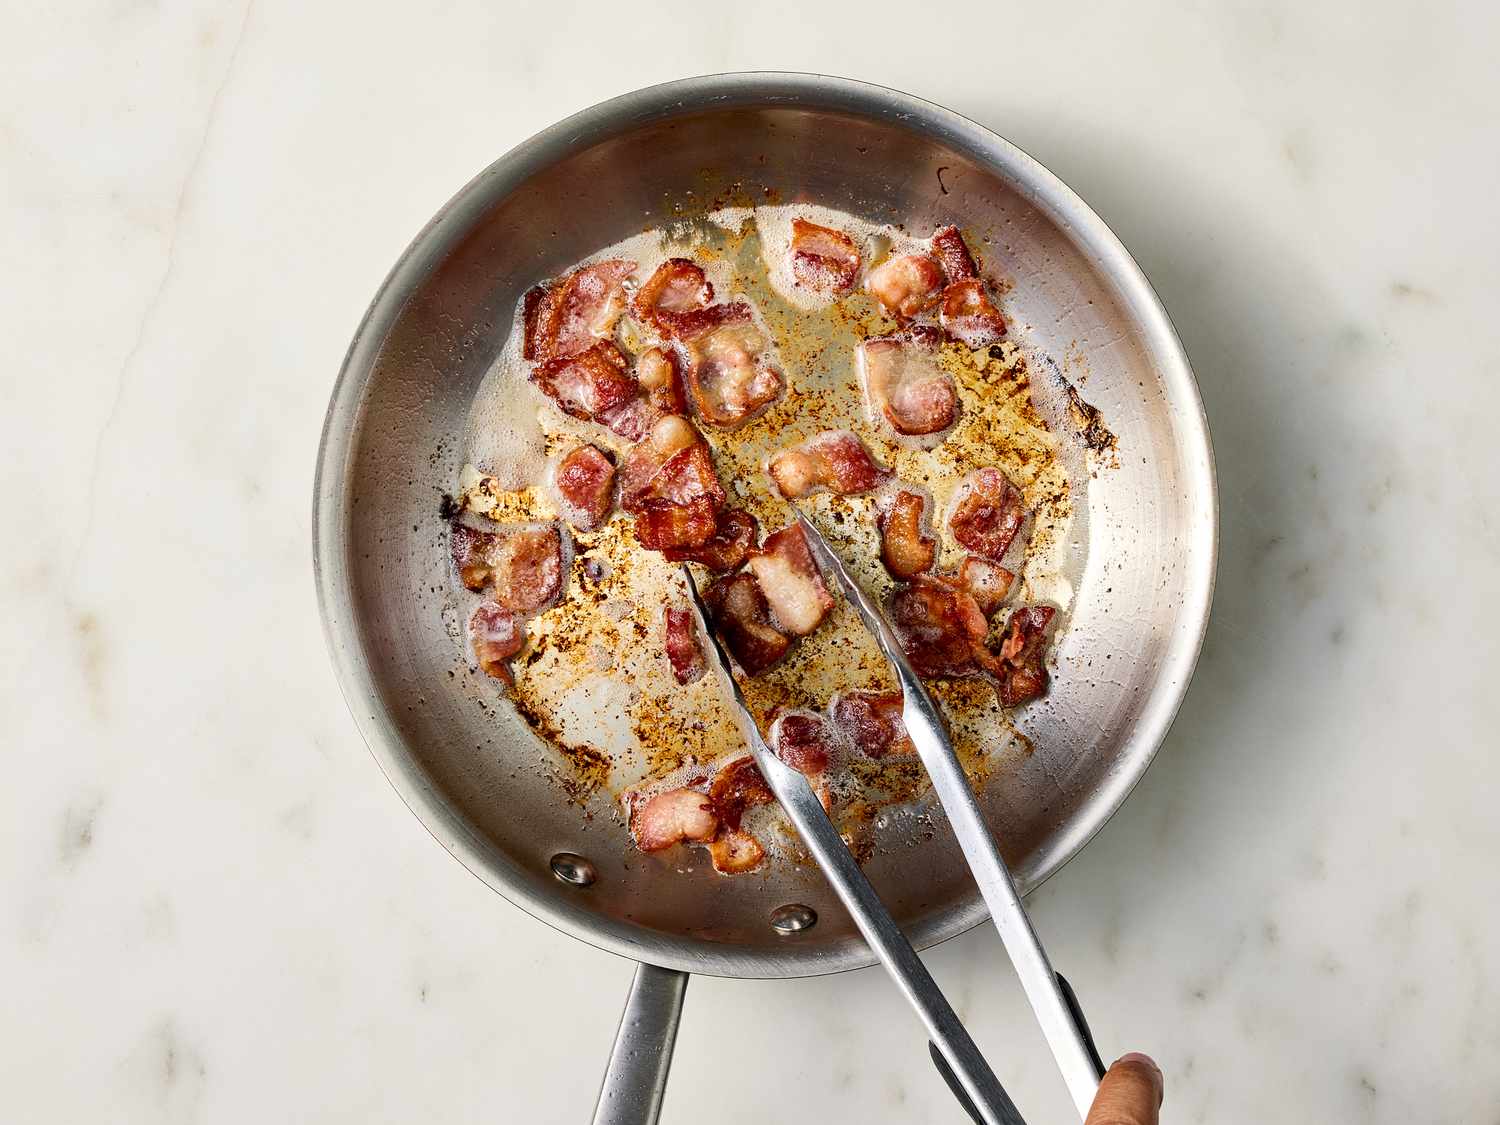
[635,1081]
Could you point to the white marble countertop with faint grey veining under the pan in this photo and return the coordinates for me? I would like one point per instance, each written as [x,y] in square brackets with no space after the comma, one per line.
[217,910]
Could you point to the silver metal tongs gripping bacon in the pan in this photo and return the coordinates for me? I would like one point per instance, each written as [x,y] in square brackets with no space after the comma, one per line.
[1051,997]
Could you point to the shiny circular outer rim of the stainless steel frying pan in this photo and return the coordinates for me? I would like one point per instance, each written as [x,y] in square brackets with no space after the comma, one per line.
[587,128]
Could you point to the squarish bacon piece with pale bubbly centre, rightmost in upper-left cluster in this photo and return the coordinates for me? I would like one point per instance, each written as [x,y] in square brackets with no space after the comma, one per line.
[728,377]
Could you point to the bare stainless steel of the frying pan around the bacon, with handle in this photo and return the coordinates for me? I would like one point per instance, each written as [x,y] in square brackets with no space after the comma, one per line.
[391,446]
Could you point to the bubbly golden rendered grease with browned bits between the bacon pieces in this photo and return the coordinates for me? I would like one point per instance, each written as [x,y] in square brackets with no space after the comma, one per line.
[595,680]
